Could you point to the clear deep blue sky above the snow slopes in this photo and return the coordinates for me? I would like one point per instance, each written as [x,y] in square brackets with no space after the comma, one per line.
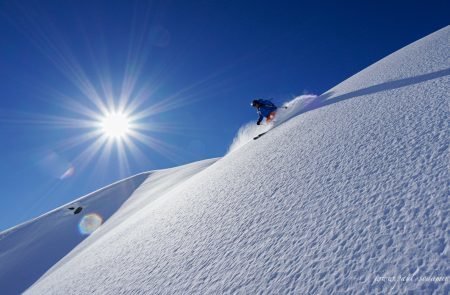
[184,71]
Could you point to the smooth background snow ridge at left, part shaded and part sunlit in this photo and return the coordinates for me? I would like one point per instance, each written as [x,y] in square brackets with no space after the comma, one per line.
[29,250]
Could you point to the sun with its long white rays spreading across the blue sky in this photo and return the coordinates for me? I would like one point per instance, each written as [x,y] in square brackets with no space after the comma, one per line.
[112,101]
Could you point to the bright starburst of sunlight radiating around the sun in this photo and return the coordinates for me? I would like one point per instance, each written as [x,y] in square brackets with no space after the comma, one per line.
[116,107]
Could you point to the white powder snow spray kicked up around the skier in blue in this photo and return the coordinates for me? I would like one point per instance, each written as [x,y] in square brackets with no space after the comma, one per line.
[288,110]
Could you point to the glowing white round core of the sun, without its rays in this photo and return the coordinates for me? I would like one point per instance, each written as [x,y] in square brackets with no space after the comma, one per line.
[115,125]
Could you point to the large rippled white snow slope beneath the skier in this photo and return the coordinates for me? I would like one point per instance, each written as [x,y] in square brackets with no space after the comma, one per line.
[349,196]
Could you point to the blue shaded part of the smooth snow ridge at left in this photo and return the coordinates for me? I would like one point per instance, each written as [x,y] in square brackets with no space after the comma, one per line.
[27,251]
